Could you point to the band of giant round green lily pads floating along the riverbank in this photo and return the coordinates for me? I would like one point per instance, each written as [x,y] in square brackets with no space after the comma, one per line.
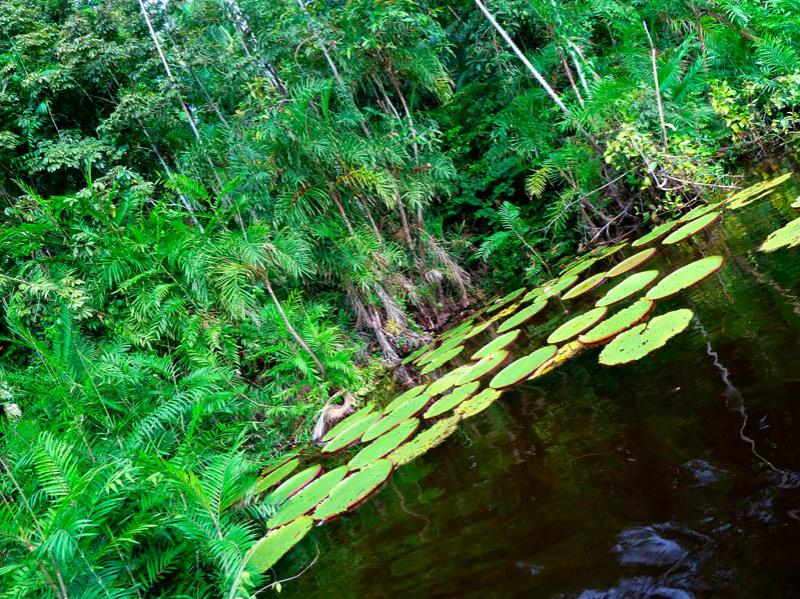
[376,440]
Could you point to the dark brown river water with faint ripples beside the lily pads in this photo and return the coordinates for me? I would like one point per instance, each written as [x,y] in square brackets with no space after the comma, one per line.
[673,477]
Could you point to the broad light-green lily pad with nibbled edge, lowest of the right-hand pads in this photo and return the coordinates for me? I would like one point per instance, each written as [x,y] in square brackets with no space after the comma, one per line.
[643,339]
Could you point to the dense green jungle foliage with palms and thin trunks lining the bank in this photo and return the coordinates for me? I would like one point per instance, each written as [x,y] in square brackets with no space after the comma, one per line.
[220,215]
